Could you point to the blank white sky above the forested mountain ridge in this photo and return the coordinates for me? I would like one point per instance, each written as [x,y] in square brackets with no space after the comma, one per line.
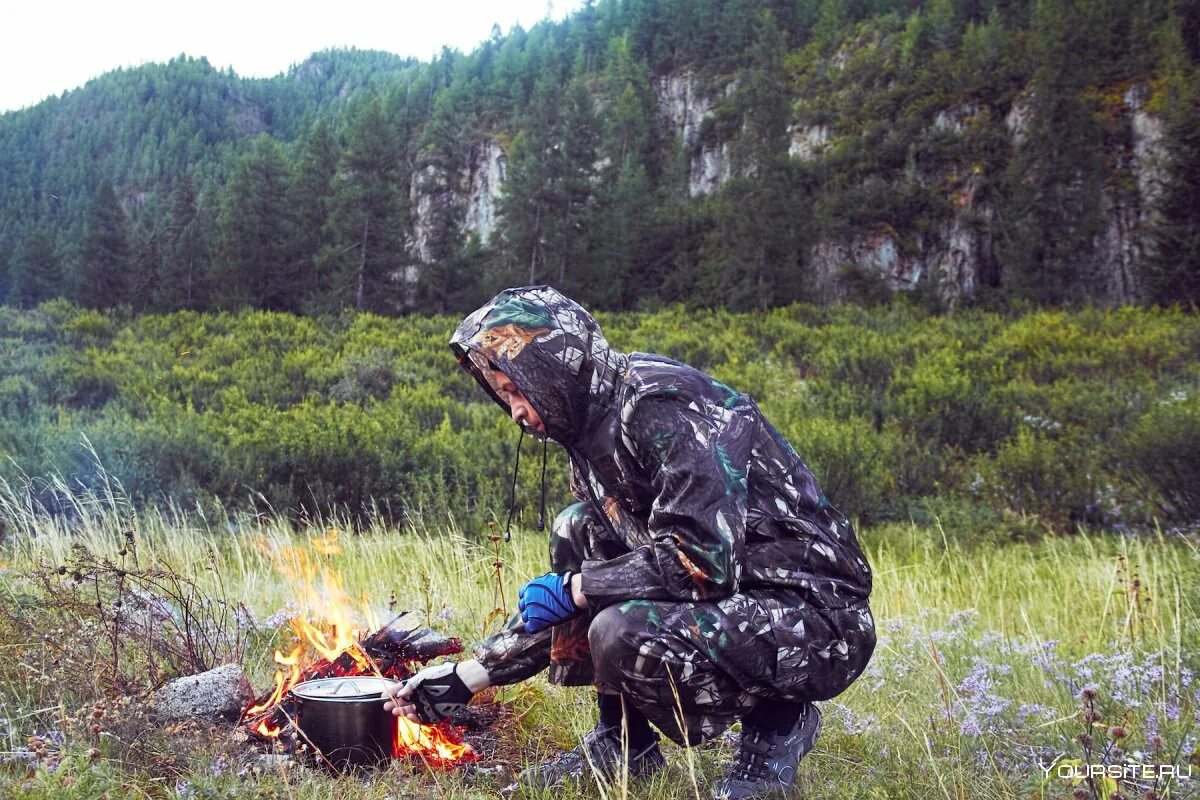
[52,46]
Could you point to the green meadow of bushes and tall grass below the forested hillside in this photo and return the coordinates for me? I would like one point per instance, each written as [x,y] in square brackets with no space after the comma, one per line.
[1025,489]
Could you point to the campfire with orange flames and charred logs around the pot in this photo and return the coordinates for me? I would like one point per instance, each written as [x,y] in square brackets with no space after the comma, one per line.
[331,645]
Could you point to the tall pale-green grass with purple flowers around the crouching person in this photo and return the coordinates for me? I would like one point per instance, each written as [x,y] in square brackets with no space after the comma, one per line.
[963,630]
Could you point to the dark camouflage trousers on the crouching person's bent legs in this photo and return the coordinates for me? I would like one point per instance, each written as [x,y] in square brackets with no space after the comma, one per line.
[694,669]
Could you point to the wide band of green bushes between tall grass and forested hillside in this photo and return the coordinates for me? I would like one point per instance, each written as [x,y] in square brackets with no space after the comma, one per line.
[1059,417]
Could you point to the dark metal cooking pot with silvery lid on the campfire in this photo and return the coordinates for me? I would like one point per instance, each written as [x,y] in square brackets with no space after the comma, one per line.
[345,719]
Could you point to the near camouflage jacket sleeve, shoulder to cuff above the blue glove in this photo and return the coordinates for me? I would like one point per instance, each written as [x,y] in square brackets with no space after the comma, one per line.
[698,464]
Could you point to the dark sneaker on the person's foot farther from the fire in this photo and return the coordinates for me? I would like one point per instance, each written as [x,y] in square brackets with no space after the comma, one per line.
[766,762]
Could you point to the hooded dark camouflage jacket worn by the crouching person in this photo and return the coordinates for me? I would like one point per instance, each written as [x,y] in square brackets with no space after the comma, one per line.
[707,496]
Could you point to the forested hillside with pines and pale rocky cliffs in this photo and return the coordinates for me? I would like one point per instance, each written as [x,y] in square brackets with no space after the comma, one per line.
[721,153]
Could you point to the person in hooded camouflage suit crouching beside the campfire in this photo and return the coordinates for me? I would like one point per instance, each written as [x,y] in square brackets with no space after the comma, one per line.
[701,580]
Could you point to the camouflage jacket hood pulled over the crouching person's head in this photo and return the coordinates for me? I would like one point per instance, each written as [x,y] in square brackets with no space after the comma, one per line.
[554,352]
